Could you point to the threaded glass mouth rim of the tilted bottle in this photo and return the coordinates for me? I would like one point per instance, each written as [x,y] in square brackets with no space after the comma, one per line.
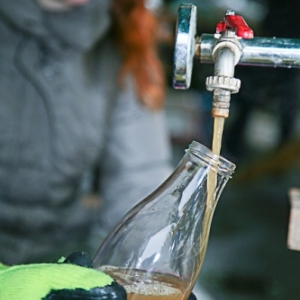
[217,162]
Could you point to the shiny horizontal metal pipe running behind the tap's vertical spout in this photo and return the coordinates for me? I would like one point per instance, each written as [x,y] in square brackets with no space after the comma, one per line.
[259,51]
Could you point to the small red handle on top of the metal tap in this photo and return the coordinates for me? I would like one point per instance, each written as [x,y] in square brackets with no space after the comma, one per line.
[236,23]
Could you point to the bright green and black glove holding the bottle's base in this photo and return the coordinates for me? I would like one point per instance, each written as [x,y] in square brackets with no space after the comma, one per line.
[71,279]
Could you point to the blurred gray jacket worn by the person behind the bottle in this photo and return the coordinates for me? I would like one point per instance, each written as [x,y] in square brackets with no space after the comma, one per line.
[62,115]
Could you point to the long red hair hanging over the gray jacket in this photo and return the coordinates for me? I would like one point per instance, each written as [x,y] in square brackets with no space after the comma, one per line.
[135,33]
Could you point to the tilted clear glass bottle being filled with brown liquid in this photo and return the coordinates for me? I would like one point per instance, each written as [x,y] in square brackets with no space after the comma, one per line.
[158,248]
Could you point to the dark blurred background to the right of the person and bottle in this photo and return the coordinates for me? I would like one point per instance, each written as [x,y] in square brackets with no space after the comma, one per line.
[247,257]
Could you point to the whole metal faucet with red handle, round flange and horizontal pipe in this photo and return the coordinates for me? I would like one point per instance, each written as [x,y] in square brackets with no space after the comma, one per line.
[232,44]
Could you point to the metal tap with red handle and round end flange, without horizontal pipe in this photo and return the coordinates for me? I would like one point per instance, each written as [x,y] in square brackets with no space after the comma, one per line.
[224,50]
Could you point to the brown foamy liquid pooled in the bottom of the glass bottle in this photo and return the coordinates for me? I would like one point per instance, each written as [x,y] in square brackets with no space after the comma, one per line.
[141,285]
